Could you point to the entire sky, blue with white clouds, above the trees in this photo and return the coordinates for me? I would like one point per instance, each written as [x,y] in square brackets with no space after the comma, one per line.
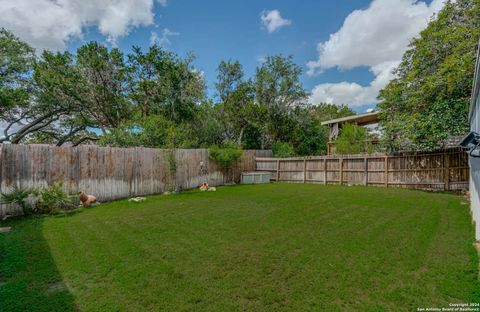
[347,48]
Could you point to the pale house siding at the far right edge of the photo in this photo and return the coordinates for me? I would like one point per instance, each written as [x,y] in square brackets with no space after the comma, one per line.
[475,170]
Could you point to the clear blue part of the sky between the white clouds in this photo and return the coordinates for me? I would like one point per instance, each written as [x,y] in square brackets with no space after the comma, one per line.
[222,30]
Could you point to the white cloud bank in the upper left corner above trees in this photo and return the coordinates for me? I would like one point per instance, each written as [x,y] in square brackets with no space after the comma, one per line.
[48,24]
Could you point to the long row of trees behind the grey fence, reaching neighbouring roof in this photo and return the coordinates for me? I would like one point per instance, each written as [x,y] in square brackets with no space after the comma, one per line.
[153,98]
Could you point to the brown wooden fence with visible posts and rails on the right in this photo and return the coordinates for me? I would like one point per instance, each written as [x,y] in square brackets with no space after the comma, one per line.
[445,170]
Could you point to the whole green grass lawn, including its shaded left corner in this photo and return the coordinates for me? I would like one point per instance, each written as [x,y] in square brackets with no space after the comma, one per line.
[274,247]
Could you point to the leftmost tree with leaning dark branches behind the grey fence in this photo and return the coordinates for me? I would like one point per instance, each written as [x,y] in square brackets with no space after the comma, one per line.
[28,110]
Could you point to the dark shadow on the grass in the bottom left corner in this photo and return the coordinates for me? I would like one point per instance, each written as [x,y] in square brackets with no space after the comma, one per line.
[29,279]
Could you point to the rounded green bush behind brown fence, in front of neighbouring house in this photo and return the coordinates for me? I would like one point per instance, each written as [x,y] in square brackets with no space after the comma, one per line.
[352,140]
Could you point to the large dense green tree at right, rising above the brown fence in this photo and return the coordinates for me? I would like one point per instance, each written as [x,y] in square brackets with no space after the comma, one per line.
[429,98]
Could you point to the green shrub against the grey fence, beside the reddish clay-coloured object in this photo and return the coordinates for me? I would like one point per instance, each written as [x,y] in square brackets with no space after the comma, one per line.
[53,199]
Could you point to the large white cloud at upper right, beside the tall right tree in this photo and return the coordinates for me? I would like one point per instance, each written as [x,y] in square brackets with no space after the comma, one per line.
[375,37]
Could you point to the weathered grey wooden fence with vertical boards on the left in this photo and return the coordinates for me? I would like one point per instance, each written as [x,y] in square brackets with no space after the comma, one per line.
[113,173]
